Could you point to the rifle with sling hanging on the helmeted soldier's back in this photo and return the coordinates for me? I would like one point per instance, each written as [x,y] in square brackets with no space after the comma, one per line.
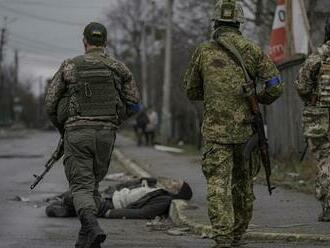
[259,138]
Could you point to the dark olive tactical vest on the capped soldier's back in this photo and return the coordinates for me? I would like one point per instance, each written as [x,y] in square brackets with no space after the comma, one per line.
[94,93]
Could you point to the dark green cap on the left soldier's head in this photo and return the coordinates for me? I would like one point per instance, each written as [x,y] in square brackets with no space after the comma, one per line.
[95,34]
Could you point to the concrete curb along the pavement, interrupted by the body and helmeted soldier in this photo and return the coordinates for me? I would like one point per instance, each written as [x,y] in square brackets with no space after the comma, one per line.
[177,208]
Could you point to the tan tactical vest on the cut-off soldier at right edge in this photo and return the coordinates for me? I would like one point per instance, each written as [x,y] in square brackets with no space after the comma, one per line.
[324,84]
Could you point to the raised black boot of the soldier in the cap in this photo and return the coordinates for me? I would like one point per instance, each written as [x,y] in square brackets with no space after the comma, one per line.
[95,235]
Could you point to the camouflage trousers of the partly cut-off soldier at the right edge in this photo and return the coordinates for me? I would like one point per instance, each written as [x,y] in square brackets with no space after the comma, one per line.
[316,130]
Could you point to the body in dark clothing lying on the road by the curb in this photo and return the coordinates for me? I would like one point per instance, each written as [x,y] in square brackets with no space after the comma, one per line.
[144,198]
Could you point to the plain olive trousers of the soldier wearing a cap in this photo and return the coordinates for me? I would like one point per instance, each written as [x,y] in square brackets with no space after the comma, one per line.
[87,154]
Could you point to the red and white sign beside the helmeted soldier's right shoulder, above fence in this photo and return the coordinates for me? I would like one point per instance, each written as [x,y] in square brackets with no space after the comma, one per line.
[278,40]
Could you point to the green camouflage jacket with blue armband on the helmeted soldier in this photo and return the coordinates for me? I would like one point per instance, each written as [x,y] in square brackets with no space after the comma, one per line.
[216,78]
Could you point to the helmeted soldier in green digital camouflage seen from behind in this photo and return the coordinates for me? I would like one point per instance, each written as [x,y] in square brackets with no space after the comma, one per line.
[216,78]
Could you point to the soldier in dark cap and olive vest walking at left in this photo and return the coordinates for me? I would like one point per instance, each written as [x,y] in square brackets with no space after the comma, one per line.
[87,99]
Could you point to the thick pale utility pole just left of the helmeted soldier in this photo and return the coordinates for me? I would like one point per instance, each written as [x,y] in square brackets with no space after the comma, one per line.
[166,108]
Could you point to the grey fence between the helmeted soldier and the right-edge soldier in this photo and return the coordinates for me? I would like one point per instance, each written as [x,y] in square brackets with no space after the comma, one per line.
[284,117]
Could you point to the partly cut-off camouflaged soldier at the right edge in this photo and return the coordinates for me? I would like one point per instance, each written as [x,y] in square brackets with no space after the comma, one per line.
[313,85]
